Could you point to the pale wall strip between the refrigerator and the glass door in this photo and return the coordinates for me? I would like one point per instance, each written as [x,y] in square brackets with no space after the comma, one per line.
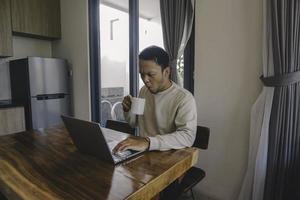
[74,47]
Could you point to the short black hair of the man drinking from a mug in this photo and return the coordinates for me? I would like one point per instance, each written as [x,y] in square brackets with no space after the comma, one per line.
[156,54]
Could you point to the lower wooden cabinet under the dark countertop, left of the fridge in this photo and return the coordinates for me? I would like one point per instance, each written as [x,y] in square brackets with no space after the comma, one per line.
[12,120]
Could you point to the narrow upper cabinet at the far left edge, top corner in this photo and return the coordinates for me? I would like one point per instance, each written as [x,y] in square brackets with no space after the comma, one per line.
[5,29]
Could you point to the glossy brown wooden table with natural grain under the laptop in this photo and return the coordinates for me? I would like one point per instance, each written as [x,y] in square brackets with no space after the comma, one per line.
[46,165]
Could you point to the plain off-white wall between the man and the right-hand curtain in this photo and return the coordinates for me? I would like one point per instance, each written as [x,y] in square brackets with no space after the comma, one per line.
[228,64]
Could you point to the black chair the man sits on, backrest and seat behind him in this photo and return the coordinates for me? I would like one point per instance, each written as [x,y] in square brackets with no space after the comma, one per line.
[194,175]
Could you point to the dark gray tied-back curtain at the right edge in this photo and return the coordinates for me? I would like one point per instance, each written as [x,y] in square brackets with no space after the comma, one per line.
[283,164]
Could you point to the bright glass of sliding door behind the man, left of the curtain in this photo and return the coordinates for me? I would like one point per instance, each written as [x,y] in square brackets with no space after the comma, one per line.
[119,76]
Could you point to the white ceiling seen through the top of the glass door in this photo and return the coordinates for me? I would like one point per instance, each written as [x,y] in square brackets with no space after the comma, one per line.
[148,9]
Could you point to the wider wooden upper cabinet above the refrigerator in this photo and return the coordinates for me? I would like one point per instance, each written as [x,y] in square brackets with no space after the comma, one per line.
[36,18]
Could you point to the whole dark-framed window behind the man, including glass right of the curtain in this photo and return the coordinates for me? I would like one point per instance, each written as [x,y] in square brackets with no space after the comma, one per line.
[117,34]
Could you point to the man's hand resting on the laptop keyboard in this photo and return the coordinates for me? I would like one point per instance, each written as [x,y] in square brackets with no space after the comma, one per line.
[133,143]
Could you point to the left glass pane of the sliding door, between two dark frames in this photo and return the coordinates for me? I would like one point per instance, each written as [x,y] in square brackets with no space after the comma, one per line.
[114,44]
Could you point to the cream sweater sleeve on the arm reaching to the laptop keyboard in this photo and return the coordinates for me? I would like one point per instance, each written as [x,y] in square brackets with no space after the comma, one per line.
[186,126]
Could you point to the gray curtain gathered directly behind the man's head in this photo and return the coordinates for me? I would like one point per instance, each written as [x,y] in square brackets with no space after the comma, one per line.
[177,20]
